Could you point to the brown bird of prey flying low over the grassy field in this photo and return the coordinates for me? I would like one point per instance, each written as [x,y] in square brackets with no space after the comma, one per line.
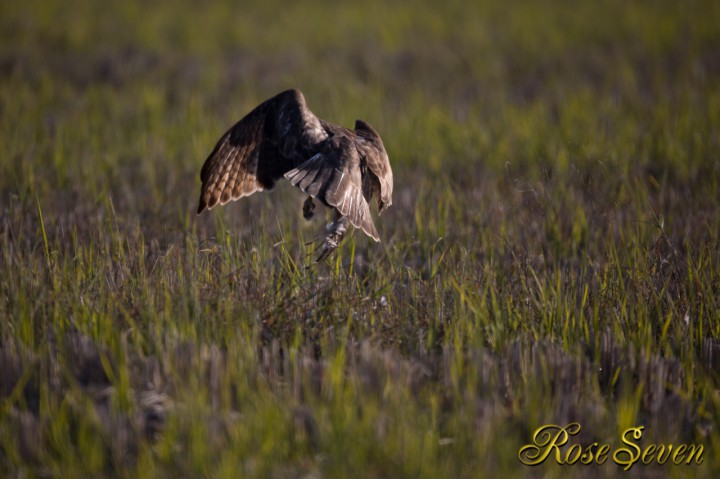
[343,169]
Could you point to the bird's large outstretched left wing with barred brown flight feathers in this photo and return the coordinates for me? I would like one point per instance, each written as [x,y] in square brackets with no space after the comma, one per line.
[270,140]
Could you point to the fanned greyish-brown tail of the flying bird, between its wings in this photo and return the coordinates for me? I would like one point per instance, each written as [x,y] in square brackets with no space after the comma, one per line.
[333,177]
